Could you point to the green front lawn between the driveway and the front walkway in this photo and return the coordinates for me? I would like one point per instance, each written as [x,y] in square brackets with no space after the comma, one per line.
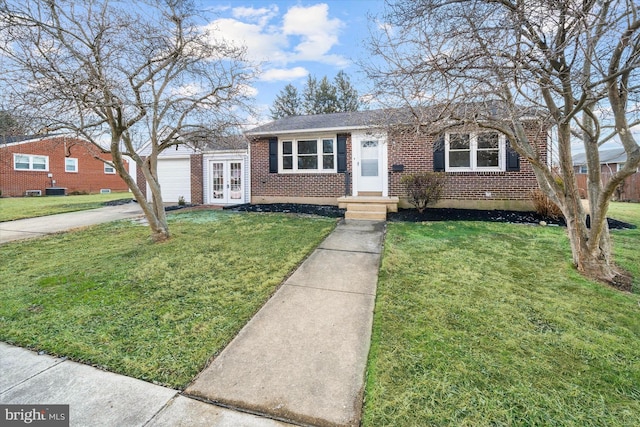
[109,297]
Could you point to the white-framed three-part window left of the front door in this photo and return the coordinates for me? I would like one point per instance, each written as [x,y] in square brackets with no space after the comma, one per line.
[307,155]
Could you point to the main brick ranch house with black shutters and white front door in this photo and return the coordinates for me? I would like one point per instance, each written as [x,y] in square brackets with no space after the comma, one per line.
[348,159]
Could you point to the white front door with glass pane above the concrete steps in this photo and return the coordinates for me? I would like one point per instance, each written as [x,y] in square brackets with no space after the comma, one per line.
[369,165]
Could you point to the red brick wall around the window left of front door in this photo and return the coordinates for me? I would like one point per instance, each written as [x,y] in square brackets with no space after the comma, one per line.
[268,184]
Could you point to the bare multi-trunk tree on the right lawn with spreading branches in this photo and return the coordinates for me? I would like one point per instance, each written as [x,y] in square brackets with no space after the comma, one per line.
[572,63]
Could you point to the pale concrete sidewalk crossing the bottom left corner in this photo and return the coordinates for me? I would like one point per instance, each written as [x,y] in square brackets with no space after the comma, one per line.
[99,398]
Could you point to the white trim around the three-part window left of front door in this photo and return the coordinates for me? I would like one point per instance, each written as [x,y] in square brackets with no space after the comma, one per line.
[320,154]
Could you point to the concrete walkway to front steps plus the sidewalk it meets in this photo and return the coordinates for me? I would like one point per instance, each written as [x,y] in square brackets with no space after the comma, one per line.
[301,359]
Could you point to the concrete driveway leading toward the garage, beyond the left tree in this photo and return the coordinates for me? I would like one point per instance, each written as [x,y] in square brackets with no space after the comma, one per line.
[41,226]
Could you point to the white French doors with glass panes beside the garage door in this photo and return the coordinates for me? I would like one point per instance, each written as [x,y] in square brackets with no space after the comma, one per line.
[226,182]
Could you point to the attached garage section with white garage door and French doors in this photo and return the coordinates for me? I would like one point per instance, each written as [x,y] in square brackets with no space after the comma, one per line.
[214,174]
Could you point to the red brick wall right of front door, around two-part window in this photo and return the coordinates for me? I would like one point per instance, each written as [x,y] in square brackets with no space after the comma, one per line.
[415,152]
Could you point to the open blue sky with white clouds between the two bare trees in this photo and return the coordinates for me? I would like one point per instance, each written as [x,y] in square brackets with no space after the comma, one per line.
[292,39]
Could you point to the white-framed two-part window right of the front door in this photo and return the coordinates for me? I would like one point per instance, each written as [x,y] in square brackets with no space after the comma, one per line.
[474,151]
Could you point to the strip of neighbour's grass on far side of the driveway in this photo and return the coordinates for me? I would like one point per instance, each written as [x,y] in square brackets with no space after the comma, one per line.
[13,208]
